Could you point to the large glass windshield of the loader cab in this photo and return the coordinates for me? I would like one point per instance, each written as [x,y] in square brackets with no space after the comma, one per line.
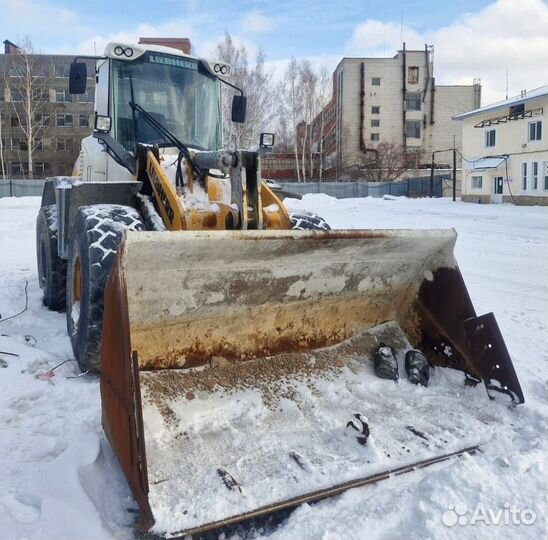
[178,92]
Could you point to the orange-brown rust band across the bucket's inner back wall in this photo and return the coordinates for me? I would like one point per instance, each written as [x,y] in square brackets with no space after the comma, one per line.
[259,331]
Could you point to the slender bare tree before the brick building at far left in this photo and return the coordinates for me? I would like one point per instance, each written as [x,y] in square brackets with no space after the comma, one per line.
[27,85]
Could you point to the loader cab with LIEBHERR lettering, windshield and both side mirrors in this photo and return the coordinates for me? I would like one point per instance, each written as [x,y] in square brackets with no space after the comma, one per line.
[183,93]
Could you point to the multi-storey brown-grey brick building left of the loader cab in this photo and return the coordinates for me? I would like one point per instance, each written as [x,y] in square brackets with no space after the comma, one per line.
[59,120]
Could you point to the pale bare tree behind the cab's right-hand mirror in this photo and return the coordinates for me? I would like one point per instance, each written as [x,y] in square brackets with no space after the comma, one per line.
[255,80]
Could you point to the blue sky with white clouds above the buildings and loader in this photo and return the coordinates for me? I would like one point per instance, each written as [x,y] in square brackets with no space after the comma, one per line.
[471,38]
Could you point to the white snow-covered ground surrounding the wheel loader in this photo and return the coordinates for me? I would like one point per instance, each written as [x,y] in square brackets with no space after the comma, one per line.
[59,479]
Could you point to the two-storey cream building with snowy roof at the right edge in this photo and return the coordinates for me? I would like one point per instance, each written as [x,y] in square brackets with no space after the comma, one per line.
[507,150]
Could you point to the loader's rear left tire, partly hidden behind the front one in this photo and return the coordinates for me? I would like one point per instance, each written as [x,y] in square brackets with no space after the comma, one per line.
[52,270]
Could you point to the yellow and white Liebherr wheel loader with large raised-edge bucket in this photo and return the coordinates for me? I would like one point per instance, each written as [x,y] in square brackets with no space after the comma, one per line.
[233,339]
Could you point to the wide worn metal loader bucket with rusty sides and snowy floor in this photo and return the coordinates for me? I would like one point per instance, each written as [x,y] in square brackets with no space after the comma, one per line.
[233,360]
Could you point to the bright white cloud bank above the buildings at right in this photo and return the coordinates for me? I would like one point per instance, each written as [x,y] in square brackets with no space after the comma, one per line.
[505,34]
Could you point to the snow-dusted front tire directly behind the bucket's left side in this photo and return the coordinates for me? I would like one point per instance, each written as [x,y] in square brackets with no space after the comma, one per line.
[97,234]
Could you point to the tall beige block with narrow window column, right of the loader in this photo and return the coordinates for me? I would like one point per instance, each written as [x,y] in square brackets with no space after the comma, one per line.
[390,100]
